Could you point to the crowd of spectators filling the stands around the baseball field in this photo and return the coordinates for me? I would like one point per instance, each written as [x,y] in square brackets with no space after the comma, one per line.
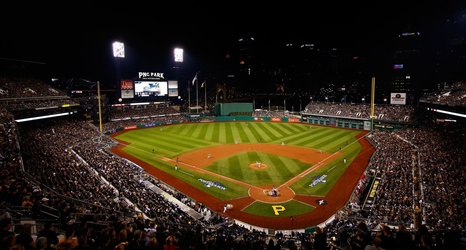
[65,165]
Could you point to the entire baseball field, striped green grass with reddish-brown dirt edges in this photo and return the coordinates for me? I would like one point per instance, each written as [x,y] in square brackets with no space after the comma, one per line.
[270,174]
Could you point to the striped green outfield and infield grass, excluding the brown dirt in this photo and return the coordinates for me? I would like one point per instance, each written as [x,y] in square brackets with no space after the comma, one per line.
[174,140]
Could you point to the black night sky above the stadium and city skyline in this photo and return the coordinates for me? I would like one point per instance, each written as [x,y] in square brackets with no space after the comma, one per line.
[74,39]
